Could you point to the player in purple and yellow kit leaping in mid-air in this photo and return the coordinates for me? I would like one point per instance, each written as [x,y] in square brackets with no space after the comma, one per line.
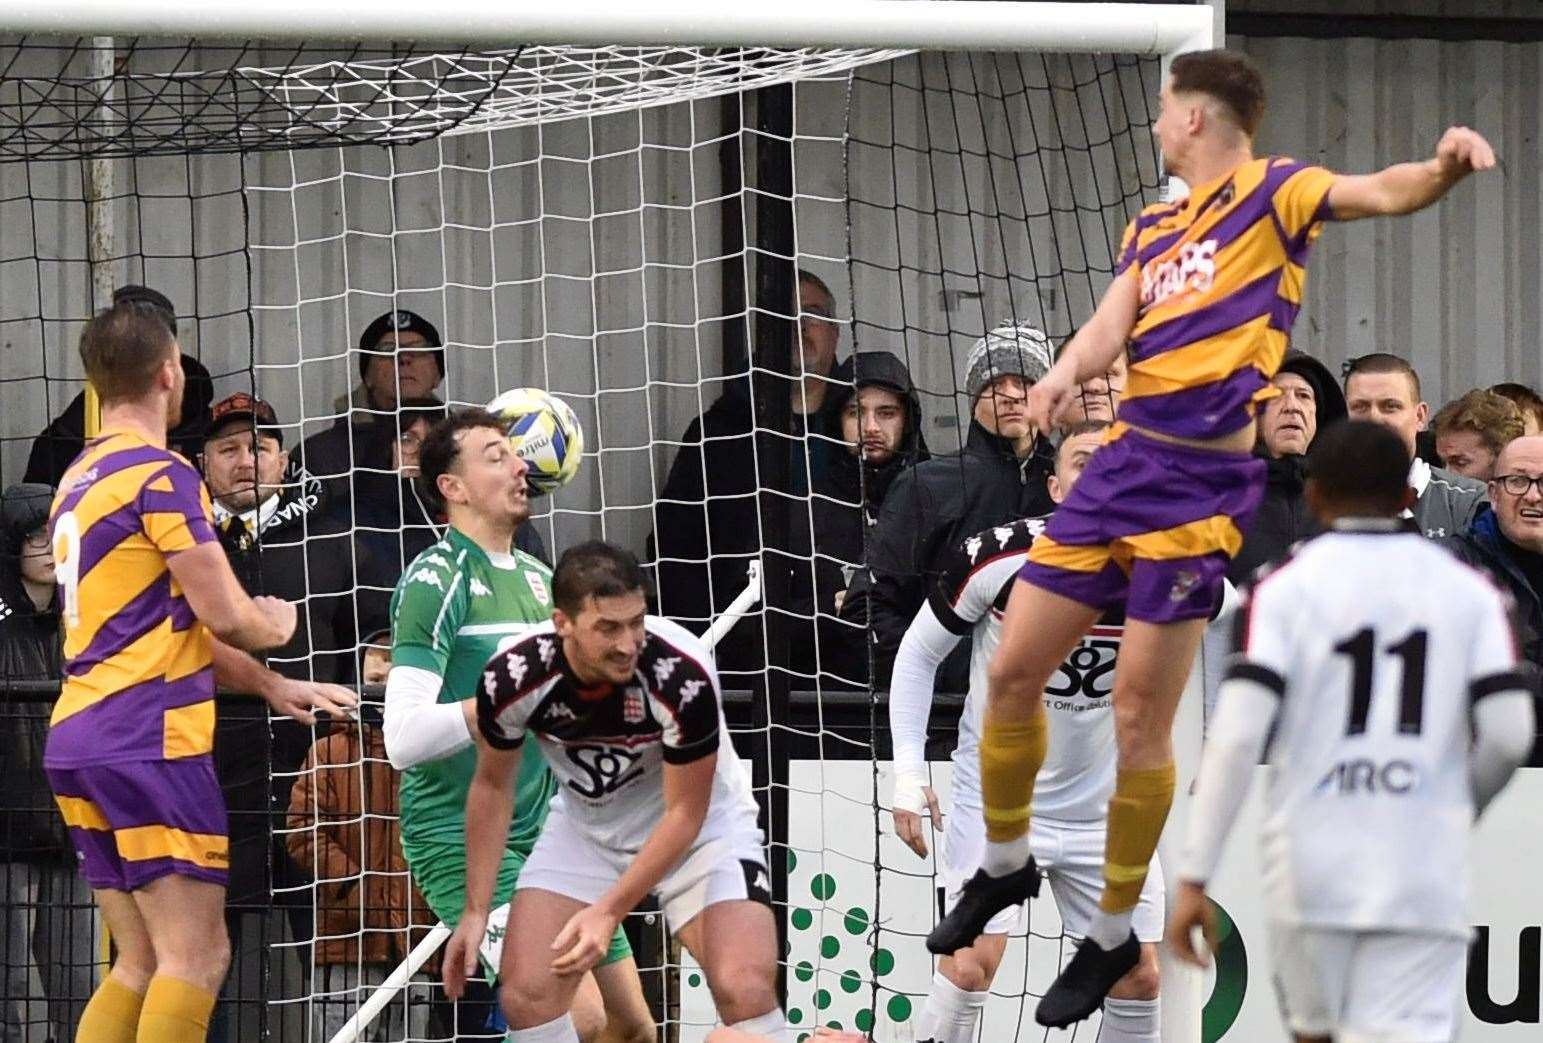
[1204,299]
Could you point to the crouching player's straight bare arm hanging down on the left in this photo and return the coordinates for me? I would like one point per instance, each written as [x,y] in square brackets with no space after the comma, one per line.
[490,809]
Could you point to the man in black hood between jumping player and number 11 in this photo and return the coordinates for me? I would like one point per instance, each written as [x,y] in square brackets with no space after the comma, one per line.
[1309,400]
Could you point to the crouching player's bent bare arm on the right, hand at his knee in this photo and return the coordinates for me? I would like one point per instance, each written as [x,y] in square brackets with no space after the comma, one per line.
[586,939]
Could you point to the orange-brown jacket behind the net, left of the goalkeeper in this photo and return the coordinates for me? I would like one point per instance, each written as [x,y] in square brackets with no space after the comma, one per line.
[345,822]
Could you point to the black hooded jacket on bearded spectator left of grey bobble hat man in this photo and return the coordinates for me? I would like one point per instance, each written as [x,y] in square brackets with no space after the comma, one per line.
[845,510]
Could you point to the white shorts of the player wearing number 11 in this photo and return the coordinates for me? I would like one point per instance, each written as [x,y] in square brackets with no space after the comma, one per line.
[1369,987]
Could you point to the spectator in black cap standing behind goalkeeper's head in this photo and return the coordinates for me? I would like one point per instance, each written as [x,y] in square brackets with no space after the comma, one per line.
[400,357]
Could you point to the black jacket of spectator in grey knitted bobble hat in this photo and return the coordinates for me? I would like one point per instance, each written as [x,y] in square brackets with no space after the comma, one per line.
[928,511]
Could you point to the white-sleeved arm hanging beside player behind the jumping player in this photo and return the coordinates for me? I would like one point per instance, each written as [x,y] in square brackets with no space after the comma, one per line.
[927,644]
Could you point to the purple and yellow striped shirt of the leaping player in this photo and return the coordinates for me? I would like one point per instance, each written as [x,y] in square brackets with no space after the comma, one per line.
[1223,277]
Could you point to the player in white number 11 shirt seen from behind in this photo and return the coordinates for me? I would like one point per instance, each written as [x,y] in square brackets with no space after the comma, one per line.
[1377,678]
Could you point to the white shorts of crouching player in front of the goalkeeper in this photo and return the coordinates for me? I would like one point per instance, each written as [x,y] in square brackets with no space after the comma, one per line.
[728,863]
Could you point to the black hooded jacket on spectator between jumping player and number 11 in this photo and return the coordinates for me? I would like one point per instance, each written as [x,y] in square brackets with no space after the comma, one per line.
[1283,519]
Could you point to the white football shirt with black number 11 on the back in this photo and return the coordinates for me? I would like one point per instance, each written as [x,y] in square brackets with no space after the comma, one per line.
[1362,660]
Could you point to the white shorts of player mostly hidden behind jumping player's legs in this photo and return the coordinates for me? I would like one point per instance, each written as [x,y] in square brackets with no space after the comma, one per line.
[1072,857]
